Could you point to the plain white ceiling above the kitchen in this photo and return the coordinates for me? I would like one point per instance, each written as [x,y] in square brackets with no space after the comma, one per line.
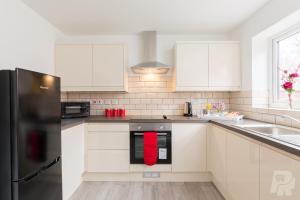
[133,16]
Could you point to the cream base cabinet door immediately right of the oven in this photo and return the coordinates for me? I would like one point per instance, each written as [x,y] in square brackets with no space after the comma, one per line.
[189,147]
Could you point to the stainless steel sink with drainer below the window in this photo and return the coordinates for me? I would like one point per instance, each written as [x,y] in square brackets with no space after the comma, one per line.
[289,135]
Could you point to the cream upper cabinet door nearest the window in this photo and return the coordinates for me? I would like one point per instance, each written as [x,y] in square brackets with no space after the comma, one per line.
[224,65]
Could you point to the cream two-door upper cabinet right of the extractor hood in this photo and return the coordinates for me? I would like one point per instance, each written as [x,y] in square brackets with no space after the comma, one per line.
[207,66]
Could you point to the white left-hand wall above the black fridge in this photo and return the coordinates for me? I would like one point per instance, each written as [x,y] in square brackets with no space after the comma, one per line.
[26,39]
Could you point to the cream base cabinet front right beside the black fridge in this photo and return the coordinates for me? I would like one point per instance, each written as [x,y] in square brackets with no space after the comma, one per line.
[72,150]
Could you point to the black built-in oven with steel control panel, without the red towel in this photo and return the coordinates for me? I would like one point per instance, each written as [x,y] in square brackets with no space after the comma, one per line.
[164,142]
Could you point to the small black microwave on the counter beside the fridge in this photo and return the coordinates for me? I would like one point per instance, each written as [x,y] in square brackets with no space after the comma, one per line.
[75,109]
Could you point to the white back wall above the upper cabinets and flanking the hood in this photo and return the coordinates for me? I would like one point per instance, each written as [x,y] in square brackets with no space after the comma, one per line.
[135,44]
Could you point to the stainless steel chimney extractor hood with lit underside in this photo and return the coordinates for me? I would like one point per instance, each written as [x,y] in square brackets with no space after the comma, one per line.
[150,64]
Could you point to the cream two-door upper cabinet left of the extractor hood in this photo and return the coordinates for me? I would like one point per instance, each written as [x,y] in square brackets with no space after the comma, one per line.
[91,67]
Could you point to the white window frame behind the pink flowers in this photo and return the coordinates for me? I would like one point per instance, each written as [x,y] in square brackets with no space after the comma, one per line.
[273,100]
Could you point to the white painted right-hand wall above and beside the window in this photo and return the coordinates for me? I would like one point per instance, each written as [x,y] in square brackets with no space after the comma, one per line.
[271,13]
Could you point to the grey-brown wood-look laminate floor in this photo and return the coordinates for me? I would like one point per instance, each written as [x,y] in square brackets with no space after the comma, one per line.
[146,191]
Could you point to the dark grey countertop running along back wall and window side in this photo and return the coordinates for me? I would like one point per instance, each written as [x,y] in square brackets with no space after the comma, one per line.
[230,125]
